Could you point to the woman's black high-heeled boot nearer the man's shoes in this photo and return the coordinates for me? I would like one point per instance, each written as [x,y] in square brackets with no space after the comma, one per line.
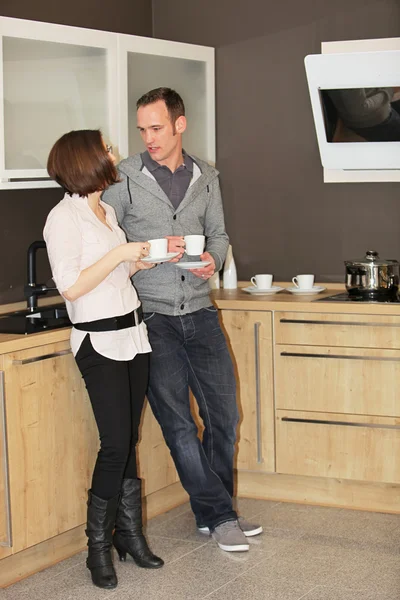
[128,536]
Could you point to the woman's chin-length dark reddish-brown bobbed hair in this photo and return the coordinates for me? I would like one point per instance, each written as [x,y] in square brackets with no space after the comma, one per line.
[79,162]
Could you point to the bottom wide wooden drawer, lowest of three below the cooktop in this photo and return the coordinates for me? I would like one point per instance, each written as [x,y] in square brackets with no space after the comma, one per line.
[339,446]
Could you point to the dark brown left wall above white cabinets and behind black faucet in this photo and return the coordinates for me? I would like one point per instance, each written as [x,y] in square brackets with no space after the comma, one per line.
[23,212]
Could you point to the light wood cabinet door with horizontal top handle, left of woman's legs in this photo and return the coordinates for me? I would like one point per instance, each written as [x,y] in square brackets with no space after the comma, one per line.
[52,443]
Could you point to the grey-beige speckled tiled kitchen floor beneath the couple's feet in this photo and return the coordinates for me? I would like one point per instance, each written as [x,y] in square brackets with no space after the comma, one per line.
[305,552]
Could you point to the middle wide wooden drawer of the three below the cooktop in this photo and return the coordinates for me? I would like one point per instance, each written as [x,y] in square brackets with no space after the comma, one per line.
[348,380]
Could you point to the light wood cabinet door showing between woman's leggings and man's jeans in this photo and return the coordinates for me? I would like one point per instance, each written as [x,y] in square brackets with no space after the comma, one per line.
[156,466]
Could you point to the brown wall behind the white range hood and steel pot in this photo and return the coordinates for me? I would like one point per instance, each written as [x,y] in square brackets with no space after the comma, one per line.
[281,217]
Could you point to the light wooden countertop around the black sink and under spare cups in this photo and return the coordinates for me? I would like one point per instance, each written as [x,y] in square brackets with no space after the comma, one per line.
[223,299]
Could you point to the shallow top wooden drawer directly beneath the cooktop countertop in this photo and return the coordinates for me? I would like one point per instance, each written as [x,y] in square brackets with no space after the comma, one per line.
[322,329]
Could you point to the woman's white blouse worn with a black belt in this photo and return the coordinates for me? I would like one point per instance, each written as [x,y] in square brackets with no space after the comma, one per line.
[76,239]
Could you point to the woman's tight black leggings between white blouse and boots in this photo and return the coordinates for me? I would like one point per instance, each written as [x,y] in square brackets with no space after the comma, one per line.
[116,390]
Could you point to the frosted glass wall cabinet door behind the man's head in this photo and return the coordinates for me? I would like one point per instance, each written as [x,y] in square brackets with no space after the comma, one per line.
[146,64]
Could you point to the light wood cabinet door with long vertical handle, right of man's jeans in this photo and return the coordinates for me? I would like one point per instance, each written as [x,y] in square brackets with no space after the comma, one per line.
[250,339]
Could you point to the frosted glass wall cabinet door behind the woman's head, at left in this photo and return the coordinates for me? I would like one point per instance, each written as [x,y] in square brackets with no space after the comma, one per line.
[54,79]
